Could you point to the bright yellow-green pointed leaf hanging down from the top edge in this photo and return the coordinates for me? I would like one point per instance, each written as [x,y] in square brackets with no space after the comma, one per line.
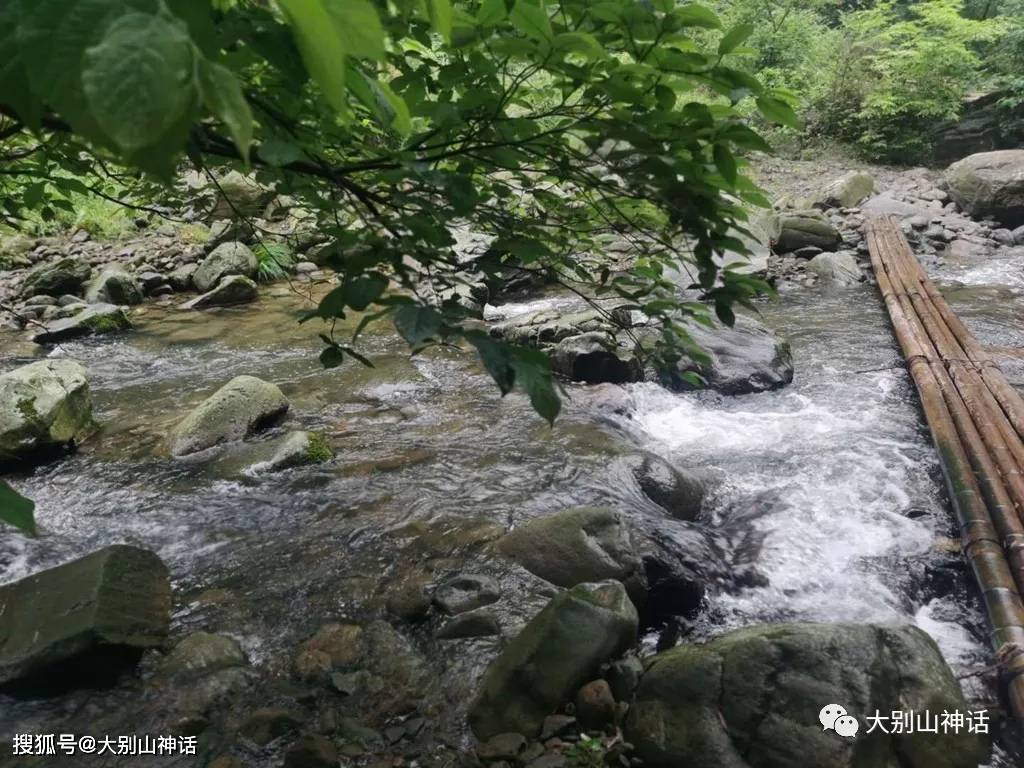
[322,48]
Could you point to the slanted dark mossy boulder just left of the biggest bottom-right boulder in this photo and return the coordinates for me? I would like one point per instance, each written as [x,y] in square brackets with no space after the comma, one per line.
[562,649]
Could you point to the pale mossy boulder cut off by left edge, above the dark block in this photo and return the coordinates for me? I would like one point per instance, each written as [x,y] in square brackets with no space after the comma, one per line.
[45,407]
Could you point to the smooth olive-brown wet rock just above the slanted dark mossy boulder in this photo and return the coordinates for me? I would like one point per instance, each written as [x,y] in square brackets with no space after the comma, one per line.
[589,544]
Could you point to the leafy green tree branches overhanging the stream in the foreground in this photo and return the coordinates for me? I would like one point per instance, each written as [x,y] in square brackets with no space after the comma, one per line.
[552,129]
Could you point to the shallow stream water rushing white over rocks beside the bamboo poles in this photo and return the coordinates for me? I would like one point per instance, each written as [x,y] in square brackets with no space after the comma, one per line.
[831,485]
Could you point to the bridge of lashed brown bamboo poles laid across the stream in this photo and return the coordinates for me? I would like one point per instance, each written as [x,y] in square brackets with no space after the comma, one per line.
[977,424]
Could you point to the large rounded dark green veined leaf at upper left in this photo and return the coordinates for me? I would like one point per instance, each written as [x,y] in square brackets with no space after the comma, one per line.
[140,80]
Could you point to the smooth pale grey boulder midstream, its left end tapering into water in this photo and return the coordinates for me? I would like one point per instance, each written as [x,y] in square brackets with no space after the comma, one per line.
[239,409]
